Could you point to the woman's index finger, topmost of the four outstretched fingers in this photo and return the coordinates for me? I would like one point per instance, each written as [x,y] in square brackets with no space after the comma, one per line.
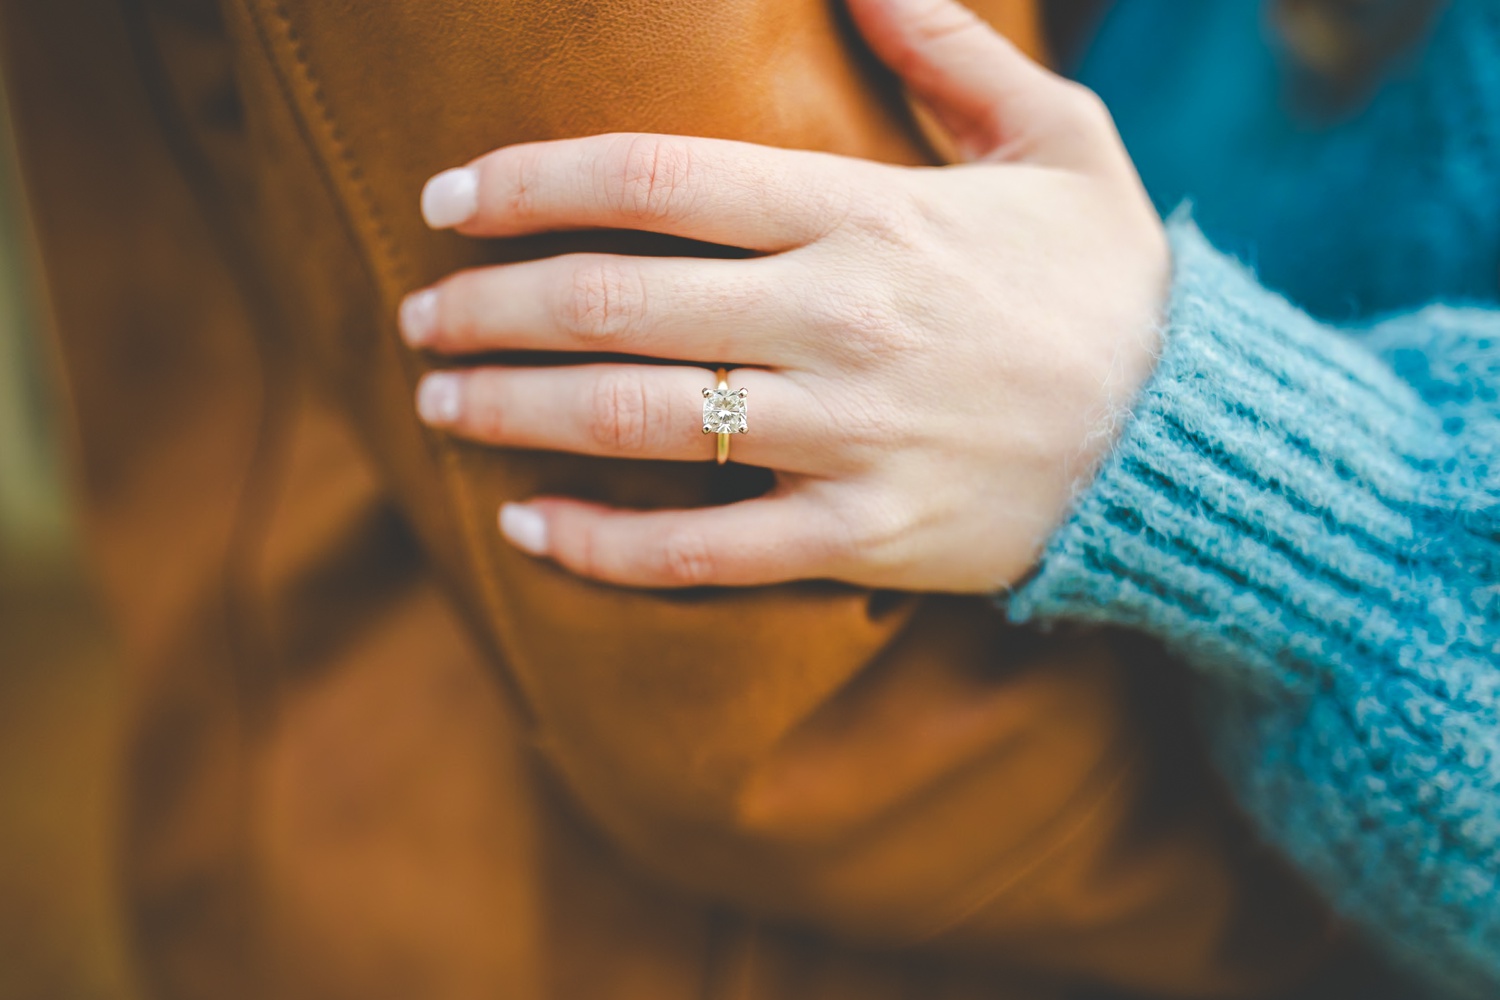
[715,191]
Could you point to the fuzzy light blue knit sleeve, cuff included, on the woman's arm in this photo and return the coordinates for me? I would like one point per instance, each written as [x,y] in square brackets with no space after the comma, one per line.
[1310,516]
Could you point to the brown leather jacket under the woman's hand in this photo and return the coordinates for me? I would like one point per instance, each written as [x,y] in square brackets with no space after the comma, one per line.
[382,755]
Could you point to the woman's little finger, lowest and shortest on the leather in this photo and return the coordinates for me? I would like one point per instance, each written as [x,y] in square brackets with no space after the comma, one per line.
[769,540]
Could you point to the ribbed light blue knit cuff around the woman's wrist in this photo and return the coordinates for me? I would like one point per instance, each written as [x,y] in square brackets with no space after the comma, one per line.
[1249,513]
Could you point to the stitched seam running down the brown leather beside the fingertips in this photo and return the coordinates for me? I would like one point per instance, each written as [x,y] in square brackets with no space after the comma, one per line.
[382,259]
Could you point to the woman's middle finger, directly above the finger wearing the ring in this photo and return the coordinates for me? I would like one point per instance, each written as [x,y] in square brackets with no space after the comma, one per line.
[736,313]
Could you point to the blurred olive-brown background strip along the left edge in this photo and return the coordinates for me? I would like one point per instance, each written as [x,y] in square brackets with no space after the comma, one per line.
[61,693]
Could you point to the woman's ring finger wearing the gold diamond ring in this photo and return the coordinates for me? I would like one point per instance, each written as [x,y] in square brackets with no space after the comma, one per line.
[635,412]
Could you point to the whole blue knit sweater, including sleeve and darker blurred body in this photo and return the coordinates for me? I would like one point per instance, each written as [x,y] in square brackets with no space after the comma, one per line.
[1306,504]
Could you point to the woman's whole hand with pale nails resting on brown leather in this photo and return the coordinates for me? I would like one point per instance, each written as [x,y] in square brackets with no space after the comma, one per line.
[934,356]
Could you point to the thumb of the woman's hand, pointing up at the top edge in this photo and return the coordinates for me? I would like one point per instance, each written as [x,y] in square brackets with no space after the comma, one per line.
[995,101]
